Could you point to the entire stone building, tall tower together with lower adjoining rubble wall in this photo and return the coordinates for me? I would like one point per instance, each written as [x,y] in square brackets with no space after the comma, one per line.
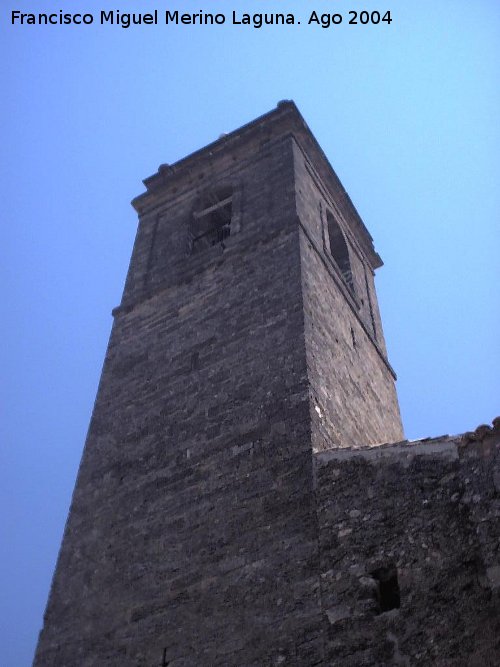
[234,504]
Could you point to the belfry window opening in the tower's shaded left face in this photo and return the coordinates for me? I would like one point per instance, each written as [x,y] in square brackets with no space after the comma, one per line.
[211,223]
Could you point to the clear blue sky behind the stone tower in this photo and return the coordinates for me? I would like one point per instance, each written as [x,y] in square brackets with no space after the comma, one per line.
[407,113]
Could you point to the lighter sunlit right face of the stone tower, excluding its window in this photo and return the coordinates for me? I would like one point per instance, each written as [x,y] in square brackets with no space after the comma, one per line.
[353,396]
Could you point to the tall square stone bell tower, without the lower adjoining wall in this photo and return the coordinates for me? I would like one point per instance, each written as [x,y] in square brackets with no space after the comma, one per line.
[247,340]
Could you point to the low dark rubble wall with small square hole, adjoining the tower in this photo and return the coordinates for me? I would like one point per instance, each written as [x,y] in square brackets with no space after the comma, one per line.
[424,516]
